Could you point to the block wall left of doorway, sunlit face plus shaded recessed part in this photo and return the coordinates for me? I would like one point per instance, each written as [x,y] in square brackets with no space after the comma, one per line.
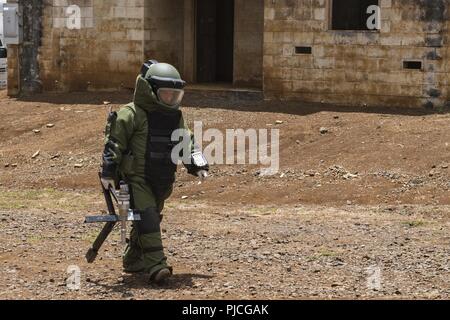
[115,37]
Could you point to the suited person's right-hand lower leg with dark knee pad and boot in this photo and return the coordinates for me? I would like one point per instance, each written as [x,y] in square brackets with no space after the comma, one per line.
[150,242]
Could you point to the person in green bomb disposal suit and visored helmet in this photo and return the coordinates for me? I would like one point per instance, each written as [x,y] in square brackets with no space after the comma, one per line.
[138,148]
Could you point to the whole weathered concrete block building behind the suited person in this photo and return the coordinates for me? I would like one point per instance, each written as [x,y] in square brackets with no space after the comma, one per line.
[309,50]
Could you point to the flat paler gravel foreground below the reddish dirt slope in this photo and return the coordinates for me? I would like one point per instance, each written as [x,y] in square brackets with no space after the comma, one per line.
[255,252]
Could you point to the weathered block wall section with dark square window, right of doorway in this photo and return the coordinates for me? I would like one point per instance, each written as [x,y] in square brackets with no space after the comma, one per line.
[358,68]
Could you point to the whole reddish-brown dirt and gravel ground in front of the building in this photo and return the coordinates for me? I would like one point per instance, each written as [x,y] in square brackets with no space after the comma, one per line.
[359,209]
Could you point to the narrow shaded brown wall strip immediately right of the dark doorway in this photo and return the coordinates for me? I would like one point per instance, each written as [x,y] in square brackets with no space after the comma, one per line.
[248,42]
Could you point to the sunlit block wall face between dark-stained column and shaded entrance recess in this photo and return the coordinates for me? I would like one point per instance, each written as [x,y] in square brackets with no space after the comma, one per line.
[105,53]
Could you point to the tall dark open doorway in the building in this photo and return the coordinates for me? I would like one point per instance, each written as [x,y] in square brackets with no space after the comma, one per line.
[214,40]
